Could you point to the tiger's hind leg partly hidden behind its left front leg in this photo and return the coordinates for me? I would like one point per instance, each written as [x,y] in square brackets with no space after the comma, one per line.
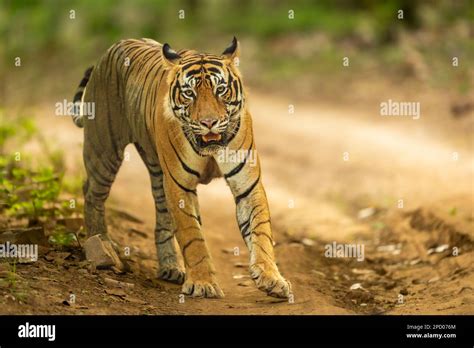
[169,268]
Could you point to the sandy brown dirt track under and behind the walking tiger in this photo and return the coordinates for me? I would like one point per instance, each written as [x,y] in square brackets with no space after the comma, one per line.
[418,254]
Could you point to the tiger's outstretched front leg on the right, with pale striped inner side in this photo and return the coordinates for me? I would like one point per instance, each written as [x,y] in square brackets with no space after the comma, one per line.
[253,217]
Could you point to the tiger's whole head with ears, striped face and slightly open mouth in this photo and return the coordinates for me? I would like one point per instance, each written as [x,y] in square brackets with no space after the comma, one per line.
[205,95]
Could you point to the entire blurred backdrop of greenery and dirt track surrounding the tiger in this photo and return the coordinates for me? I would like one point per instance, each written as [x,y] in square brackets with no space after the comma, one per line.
[334,168]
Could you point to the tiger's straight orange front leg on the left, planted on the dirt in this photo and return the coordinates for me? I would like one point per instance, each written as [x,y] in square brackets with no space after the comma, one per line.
[200,272]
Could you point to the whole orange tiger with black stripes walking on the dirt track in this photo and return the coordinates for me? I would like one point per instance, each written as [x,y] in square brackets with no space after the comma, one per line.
[180,109]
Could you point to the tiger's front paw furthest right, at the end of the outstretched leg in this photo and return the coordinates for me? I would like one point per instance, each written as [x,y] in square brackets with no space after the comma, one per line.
[270,281]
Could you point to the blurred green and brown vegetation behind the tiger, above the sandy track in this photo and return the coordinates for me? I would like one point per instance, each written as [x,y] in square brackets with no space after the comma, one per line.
[301,55]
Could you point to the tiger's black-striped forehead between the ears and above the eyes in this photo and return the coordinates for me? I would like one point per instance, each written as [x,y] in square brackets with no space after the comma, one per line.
[197,68]
